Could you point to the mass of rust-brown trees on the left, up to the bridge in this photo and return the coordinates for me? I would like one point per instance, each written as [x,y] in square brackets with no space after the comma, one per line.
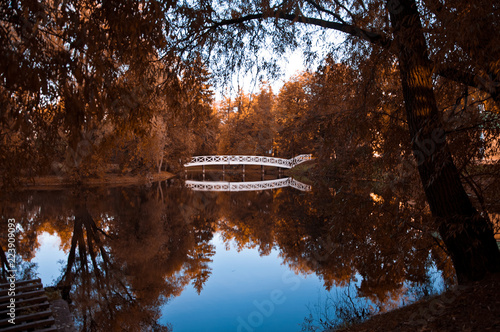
[78,76]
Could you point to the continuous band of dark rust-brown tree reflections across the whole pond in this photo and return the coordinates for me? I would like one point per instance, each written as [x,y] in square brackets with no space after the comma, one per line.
[131,250]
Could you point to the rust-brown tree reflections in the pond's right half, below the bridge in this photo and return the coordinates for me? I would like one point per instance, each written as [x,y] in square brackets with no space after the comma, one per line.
[338,234]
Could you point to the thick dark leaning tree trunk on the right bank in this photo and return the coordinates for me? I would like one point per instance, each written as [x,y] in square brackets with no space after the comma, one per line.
[467,234]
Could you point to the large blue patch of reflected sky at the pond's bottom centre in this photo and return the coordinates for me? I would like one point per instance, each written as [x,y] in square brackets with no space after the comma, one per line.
[240,283]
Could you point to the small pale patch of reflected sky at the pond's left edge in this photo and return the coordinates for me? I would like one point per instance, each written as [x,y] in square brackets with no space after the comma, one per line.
[47,257]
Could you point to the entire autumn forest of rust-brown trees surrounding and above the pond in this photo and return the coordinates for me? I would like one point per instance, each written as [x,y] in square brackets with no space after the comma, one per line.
[409,100]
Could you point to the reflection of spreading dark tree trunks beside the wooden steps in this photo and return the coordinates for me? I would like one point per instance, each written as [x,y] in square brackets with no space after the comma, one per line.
[94,282]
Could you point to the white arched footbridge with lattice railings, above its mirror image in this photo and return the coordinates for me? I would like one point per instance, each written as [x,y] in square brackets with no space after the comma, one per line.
[248,160]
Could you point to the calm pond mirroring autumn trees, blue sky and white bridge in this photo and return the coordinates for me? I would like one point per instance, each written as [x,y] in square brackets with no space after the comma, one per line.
[178,255]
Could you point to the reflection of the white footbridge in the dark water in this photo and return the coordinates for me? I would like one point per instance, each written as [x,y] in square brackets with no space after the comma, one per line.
[246,186]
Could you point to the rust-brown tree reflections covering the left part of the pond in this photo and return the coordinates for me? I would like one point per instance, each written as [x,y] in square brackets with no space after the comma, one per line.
[128,253]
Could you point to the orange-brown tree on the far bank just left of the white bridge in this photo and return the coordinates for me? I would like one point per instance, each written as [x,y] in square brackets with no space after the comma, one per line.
[182,123]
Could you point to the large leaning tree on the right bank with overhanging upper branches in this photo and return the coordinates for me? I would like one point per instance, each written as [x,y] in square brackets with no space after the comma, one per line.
[392,28]
